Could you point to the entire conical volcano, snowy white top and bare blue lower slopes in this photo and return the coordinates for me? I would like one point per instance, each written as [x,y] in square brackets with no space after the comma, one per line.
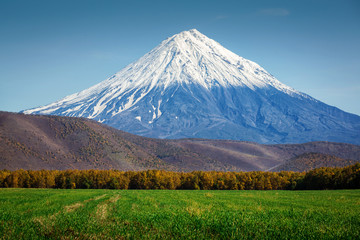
[191,86]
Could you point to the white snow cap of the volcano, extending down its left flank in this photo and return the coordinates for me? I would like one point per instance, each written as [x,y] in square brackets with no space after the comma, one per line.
[188,57]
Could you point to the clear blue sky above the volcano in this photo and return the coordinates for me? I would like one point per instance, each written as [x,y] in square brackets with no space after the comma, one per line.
[51,49]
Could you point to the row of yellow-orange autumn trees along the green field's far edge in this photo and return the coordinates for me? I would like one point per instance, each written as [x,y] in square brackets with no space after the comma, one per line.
[320,178]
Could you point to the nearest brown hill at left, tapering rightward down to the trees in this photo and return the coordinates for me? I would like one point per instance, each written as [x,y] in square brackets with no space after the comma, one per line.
[53,142]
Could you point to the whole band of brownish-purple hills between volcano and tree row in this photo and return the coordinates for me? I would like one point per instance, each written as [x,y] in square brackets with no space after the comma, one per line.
[53,142]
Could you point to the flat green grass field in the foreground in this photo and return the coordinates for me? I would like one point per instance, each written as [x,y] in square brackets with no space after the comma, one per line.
[156,214]
